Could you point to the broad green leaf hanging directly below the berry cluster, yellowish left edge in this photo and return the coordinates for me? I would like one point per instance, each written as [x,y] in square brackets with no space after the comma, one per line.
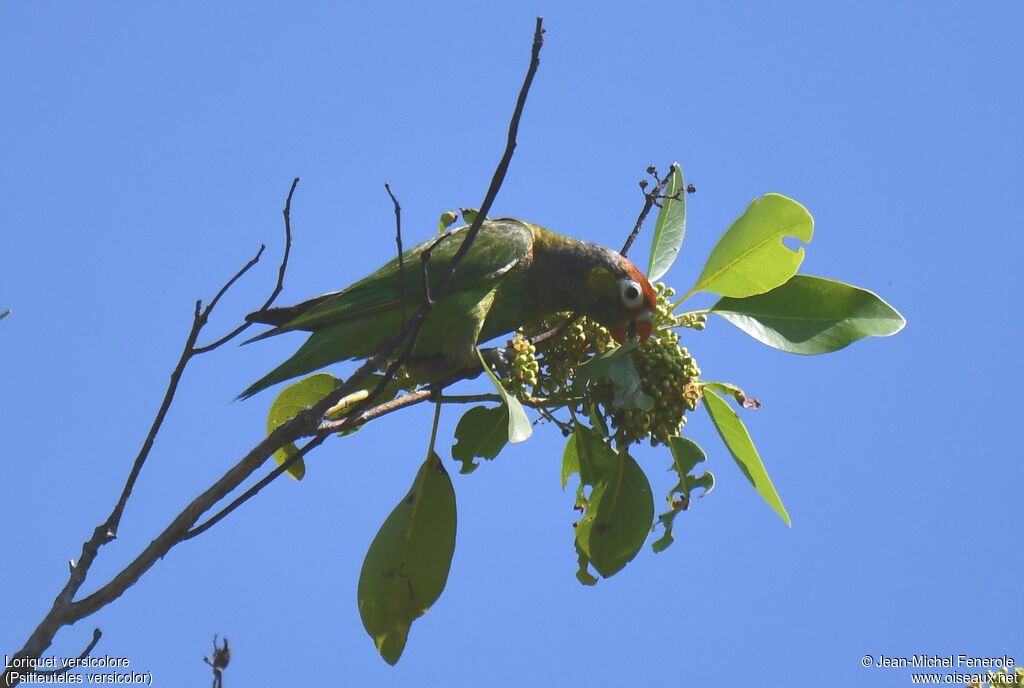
[618,519]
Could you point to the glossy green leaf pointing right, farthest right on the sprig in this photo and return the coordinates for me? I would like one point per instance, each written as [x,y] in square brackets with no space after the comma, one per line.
[812,316]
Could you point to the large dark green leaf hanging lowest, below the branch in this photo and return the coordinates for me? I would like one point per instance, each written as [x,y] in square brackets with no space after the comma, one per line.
[408,565]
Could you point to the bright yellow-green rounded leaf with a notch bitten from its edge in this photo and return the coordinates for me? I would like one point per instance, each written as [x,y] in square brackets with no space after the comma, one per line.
[751,259]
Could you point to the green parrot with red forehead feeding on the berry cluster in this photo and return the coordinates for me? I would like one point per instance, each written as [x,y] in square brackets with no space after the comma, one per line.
[516,274]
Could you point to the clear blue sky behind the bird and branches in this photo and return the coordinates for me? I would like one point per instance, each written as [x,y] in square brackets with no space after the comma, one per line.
[147,152]
